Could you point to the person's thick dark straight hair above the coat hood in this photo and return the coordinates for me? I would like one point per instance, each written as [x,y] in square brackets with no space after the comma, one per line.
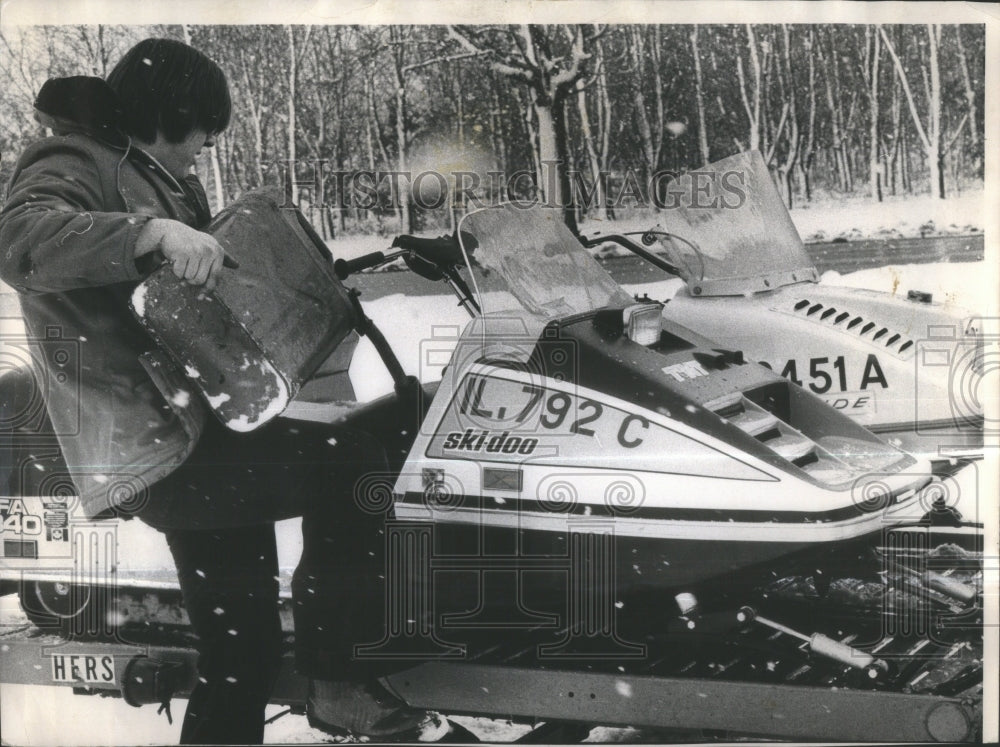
[168,86]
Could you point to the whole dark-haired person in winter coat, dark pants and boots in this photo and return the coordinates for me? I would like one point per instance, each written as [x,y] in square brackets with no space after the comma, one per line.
[90,212]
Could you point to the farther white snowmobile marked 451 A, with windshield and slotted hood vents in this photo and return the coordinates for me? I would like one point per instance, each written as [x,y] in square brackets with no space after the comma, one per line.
[903,365]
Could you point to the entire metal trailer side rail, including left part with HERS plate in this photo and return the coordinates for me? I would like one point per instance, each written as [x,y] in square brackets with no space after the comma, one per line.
[593,698]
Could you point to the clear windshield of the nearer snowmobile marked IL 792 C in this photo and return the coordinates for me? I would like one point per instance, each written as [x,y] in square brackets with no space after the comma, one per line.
[525,258]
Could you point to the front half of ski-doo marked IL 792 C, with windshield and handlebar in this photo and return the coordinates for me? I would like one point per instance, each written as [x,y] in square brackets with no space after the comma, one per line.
[567,401]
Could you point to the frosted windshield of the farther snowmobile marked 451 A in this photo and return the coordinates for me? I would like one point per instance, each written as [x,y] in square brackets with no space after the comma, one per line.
[733,234]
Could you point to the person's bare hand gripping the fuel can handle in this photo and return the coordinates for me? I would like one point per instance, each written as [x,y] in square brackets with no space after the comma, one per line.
[196,257]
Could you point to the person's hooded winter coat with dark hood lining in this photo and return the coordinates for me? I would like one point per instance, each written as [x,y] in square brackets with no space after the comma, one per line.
[76,205]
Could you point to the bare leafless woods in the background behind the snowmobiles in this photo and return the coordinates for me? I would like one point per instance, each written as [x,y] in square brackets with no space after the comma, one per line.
[836,110]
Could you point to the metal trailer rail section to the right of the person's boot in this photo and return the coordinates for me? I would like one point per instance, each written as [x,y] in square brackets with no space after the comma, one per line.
[745,708]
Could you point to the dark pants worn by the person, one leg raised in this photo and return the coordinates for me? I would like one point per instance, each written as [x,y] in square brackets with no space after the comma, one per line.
[218,512]
